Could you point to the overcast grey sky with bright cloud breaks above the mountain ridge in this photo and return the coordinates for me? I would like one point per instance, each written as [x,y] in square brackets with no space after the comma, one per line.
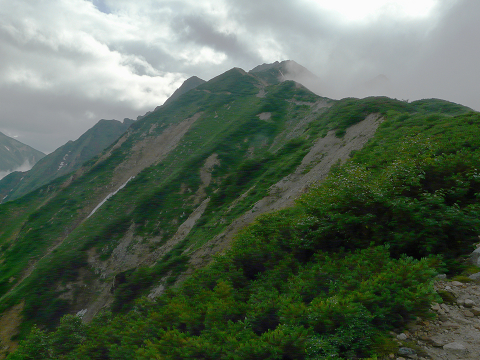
[65,64]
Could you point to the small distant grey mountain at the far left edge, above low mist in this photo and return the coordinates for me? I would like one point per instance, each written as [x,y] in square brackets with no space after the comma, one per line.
[14,155]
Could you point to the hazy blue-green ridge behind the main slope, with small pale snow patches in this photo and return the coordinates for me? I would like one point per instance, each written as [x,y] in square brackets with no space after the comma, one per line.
[64,160]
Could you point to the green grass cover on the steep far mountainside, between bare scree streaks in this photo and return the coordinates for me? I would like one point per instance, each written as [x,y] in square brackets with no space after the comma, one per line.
[53,214]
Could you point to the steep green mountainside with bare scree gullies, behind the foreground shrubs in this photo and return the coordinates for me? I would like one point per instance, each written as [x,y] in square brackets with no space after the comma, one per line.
[172,191]
